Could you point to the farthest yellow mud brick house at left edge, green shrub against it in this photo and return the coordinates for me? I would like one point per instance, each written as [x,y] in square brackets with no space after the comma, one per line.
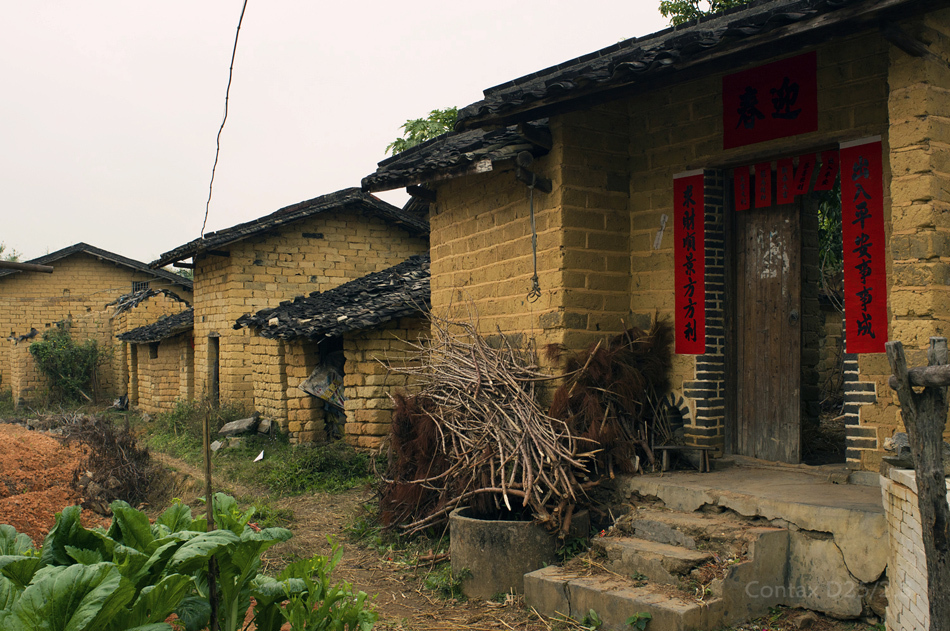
[85,280]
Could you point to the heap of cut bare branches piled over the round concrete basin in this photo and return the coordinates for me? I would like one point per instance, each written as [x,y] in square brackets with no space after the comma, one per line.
[475,435]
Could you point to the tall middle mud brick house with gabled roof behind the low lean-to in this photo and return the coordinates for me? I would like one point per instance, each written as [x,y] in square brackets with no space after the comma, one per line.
[314,245]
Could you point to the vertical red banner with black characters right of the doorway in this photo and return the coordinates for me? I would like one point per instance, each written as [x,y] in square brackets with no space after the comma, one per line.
[862,231]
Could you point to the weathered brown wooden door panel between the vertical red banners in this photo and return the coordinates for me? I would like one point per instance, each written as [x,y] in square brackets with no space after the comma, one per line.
[768,333]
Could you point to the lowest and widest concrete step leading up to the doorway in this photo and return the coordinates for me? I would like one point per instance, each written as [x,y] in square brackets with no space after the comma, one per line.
[554,591]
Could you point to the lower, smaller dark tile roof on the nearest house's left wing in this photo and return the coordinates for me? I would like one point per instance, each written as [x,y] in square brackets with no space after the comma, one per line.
[451,155]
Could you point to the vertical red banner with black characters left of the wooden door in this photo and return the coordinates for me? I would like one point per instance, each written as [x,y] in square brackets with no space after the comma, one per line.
[689,257]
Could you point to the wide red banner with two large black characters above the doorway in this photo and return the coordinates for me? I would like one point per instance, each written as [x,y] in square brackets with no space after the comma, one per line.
[776,100]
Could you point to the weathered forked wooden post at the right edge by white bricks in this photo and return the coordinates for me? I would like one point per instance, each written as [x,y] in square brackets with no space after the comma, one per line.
[925,416]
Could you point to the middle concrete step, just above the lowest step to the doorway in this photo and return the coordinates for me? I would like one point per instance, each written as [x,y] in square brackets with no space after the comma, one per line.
[658,562]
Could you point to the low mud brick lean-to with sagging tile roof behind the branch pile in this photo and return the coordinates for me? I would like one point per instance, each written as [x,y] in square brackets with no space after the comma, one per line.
[372,321]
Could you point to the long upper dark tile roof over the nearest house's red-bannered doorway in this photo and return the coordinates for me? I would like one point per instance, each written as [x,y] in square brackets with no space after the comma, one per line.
[639,60]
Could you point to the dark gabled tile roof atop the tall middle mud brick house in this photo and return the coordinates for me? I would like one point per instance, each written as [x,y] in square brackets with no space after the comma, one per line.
[349,200]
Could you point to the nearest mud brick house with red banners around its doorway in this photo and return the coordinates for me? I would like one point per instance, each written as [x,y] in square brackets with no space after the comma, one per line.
[681,177]
